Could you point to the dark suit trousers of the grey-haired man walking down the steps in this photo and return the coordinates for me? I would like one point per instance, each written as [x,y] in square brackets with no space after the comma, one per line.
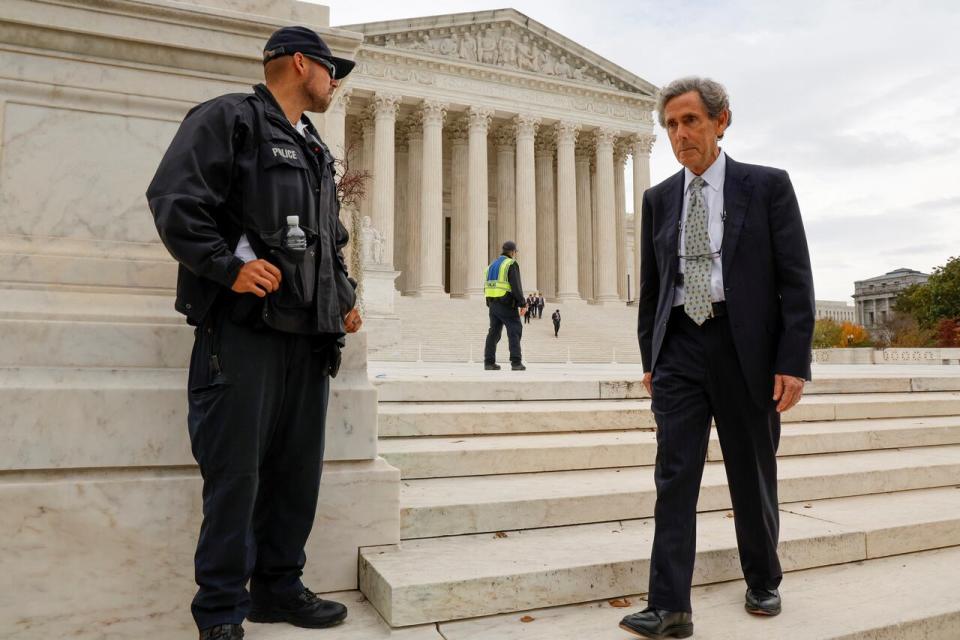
[698,376]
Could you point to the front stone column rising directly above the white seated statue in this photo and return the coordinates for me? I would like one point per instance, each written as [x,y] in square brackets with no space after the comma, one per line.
[385,117]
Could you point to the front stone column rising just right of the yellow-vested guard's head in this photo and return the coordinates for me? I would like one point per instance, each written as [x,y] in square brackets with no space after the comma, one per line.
[526,236]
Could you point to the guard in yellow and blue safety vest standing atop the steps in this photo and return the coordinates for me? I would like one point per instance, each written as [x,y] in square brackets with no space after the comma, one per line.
[504,295]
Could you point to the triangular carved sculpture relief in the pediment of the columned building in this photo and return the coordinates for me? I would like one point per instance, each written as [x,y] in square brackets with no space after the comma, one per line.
[504,45]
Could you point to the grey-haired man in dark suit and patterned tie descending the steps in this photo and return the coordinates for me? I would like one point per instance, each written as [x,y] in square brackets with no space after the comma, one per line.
[726,315]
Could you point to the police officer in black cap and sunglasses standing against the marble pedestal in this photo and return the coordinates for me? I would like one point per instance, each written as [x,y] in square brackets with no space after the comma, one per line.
[271,306]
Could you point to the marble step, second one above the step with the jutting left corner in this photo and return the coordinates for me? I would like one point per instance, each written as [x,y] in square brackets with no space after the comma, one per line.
[438,457]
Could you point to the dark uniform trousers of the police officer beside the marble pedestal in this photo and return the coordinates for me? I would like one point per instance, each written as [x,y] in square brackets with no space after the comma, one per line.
[256,420]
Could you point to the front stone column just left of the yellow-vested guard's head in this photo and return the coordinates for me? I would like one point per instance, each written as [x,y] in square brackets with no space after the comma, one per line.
[478,216]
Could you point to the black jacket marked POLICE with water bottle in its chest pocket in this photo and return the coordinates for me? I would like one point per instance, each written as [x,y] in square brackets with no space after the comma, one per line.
[238,166]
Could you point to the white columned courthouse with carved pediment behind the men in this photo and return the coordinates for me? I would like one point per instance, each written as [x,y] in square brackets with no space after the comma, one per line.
[482,127]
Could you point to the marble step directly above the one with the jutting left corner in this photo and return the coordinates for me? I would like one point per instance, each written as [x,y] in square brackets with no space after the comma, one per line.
[454,506]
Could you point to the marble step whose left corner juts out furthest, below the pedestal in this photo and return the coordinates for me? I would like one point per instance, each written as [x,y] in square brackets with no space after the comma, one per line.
[460,577]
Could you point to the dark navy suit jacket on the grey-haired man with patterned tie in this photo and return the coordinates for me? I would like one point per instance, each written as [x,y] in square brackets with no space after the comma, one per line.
[767,278]
